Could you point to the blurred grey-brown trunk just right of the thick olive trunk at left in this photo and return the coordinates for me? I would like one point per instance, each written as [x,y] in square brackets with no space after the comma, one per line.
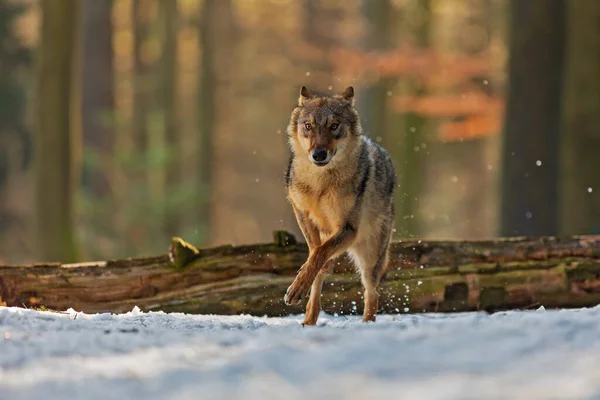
[98,213]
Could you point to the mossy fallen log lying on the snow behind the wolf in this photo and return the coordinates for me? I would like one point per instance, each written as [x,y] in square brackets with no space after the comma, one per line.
[424,276]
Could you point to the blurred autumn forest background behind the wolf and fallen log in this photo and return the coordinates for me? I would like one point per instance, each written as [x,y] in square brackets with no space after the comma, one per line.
[126,122]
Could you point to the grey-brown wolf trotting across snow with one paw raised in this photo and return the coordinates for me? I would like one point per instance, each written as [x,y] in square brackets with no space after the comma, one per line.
[340,185]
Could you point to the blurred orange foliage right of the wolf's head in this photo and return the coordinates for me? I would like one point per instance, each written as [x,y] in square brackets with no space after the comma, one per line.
[481,114]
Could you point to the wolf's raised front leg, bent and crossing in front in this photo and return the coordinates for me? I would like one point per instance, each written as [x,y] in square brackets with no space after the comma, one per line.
[317,260]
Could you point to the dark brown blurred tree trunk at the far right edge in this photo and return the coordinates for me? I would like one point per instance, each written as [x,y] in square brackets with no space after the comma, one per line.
[581,126]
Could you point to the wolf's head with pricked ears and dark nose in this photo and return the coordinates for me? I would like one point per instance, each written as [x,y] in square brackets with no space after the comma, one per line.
[323,127]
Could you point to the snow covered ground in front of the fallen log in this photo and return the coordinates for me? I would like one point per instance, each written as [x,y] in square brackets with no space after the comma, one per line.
[514,355]
